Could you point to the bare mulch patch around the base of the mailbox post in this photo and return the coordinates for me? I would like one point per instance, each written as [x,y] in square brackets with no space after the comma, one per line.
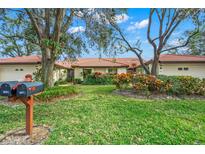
[19,137]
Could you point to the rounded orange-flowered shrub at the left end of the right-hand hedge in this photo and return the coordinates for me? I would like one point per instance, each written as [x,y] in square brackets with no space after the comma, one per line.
[123,80]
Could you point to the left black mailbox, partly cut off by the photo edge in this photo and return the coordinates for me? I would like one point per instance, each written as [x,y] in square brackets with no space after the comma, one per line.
[8,88]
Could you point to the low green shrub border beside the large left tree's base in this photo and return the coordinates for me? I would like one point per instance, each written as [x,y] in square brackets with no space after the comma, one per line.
[55,92]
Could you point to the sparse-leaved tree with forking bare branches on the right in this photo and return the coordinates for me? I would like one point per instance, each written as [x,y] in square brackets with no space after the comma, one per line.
[168,20]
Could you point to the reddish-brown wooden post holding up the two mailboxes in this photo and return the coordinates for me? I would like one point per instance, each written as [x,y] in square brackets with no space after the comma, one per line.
[29,115]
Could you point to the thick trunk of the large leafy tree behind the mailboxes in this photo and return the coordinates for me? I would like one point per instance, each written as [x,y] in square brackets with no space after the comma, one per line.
[48,63]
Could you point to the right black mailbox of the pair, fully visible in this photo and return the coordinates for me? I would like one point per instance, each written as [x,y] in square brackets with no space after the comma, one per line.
[25,89]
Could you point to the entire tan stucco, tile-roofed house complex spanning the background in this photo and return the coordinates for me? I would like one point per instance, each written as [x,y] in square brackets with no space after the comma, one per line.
[169,64]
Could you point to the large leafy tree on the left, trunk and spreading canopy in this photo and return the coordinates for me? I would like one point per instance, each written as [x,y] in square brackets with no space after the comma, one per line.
[57,33]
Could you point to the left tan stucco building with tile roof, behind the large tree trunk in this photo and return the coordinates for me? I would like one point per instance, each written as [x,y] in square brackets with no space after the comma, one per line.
[16,68]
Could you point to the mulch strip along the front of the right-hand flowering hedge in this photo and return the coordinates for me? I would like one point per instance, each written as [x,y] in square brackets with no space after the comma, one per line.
[156,96]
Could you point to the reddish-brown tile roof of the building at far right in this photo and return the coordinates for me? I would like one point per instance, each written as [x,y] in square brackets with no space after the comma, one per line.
[181,58]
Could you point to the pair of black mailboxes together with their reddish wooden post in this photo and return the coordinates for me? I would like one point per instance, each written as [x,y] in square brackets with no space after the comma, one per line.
[25,92]
